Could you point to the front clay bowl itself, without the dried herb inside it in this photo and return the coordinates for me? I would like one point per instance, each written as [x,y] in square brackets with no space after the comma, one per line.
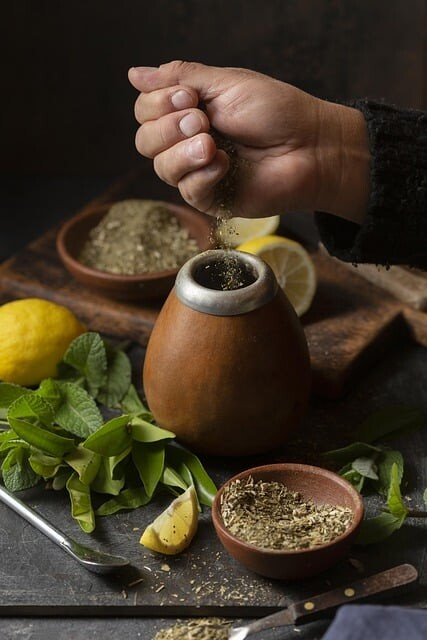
[319,485]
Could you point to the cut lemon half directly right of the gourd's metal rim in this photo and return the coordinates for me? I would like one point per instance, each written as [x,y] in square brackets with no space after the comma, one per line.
[292,266]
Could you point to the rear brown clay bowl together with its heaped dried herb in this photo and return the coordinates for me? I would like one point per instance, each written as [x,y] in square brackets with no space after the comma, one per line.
[132,249]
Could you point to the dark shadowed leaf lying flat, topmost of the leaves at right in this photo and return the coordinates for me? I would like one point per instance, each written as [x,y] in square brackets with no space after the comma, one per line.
[390,422]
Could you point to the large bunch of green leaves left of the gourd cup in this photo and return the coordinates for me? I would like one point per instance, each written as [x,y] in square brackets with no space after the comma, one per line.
[57,434]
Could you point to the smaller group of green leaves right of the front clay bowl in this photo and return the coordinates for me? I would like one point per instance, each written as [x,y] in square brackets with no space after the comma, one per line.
[370,465]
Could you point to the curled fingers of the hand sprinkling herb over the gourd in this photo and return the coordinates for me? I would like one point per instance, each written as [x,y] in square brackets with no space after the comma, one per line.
[175,133]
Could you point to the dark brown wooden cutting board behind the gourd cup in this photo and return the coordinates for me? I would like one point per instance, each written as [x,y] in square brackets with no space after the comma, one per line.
[350,324]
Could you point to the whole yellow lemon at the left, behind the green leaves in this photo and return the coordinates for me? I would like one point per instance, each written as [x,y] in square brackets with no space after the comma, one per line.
[34,335]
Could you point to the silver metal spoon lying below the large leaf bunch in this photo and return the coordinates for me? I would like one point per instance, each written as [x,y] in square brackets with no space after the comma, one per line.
[92,559]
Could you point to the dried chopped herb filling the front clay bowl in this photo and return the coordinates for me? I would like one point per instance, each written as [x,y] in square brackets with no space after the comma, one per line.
[268,515]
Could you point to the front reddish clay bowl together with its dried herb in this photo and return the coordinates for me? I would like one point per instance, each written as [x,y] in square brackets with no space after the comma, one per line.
[287,521]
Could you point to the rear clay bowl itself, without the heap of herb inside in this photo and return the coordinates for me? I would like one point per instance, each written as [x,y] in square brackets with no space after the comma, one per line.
[147,286]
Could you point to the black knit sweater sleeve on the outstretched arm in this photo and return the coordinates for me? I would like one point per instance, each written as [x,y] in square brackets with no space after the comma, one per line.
[395,229]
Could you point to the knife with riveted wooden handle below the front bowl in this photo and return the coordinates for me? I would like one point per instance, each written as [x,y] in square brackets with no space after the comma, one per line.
[317,606]
